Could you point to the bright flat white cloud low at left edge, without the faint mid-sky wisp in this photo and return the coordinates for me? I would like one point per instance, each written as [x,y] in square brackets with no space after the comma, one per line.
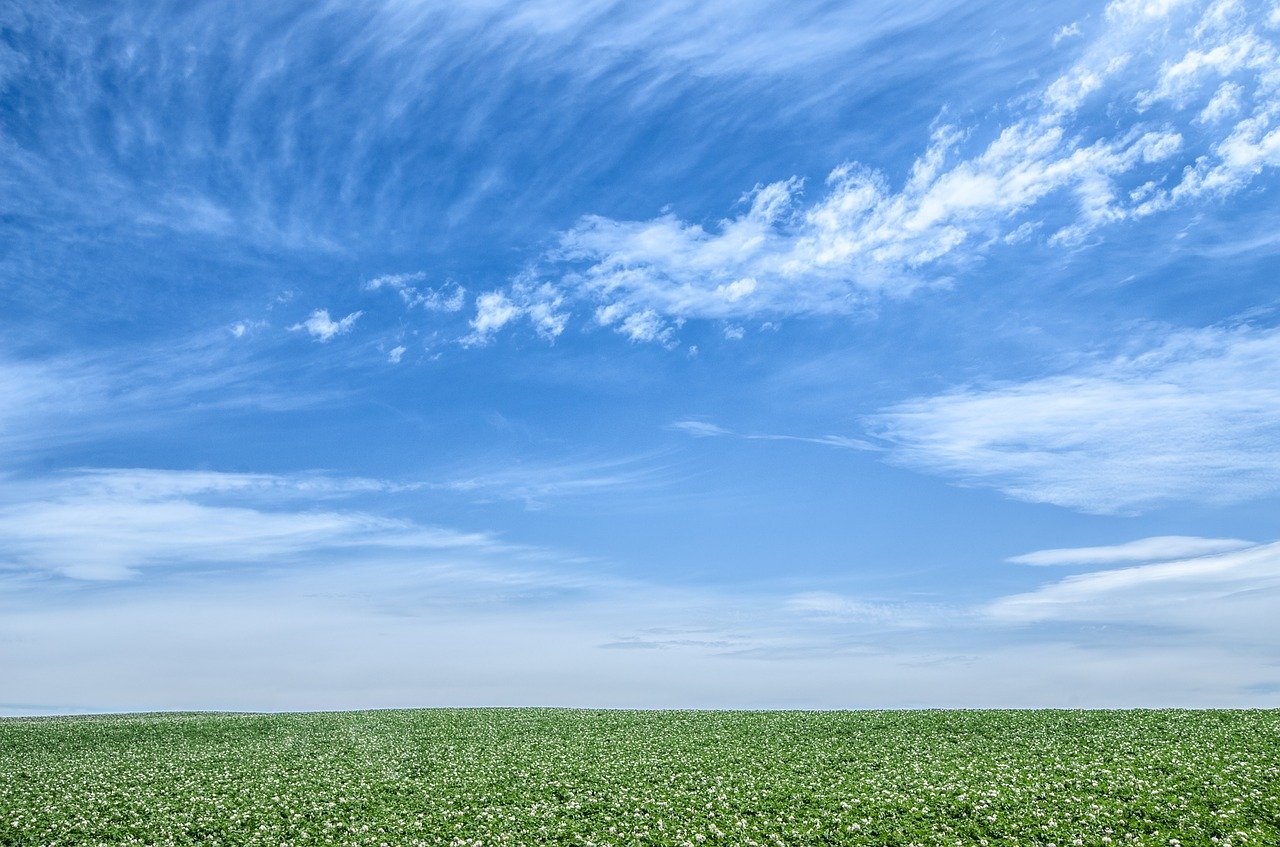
[112,525]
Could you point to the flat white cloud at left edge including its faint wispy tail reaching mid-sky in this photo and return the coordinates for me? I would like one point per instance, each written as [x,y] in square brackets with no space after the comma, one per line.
[116,524]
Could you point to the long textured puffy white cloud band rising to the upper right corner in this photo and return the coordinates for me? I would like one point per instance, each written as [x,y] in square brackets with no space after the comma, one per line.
[1169,106]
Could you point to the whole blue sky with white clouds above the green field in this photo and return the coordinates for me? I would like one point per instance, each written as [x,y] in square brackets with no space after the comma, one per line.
[639,355]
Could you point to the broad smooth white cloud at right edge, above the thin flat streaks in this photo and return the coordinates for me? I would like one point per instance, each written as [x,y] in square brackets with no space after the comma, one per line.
[1196,418]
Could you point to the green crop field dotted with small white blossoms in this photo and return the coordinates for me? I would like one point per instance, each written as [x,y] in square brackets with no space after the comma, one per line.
[564,777]
